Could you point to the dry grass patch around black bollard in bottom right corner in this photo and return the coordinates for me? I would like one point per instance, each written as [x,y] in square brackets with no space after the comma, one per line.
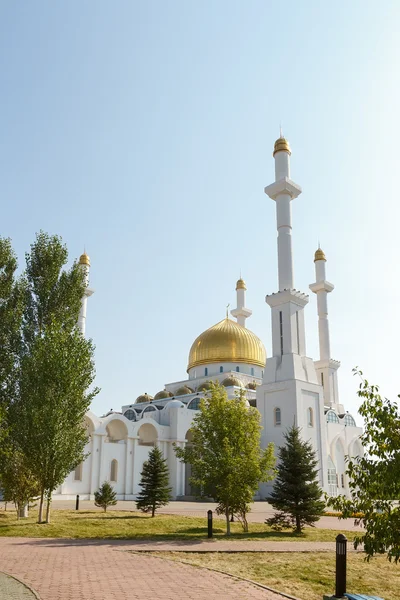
[305,575]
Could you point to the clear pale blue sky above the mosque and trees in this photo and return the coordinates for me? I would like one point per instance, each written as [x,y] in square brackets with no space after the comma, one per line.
[144,131]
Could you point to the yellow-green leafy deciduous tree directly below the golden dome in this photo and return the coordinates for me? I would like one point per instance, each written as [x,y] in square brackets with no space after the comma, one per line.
[225,455]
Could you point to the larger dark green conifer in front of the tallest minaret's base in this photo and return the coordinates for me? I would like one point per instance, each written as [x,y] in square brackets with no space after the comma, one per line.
[296,494]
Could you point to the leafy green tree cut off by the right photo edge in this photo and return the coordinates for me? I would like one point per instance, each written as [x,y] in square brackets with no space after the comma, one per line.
[374,478]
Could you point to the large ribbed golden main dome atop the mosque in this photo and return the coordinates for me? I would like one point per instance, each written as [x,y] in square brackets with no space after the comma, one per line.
[227,341]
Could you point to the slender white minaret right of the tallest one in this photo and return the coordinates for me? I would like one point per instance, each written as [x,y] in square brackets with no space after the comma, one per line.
[326,367]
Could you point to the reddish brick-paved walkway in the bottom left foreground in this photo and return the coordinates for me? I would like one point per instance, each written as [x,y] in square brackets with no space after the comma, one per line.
[100,570]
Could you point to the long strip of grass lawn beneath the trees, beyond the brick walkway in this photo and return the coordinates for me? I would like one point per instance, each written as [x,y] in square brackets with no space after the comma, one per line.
[132,525]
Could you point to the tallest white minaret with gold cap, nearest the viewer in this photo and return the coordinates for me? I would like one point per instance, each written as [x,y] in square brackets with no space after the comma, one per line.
[290,392]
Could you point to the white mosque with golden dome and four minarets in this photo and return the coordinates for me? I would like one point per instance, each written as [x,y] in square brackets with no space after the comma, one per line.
[287,387]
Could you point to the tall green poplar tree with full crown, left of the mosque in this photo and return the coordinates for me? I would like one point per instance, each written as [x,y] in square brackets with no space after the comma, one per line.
[55,369]
